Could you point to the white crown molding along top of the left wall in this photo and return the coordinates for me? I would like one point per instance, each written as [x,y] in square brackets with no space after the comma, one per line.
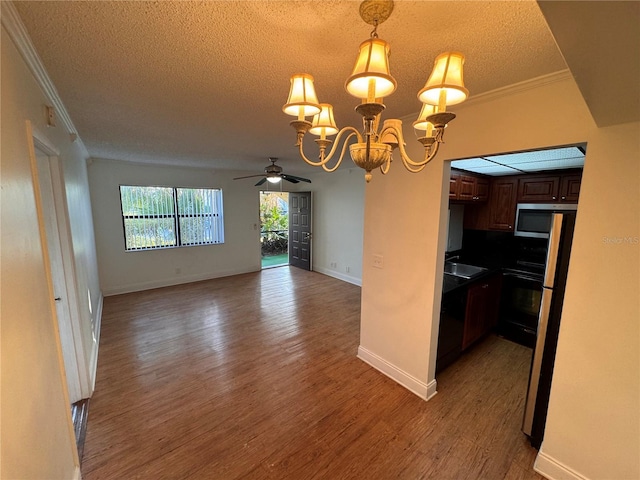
[12,22]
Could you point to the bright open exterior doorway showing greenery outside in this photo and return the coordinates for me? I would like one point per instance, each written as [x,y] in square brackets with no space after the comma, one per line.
[274,229]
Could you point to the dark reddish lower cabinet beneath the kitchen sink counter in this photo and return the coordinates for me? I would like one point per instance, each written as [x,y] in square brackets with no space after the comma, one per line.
[481,314]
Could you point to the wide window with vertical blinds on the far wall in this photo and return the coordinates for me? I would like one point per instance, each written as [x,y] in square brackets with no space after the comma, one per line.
[161,217]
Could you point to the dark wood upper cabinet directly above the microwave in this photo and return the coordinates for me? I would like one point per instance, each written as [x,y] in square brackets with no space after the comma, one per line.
[549,188]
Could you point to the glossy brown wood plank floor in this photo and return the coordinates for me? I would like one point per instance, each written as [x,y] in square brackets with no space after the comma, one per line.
[256,377]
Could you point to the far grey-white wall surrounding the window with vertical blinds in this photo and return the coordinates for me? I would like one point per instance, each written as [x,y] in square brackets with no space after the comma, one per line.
[122,271]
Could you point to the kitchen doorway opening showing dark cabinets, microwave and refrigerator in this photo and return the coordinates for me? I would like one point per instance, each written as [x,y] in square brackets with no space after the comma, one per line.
[502,276]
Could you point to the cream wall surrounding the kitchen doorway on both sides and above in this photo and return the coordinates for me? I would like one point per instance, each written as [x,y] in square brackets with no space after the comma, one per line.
[395,310]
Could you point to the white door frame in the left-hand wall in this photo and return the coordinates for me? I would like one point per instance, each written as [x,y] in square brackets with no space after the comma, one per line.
[76,366]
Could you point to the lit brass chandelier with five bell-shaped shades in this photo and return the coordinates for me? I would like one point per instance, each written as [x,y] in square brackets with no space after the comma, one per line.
[371,81]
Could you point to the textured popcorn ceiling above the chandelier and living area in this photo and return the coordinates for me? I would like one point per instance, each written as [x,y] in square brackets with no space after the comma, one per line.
[203,83]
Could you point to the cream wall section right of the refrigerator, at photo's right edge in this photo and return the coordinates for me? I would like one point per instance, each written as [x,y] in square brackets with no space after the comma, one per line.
[593,424]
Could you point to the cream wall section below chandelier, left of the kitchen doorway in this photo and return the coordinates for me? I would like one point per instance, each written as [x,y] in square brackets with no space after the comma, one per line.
[402,221]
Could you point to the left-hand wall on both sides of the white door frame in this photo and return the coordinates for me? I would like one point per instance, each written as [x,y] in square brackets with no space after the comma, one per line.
[36,432]
